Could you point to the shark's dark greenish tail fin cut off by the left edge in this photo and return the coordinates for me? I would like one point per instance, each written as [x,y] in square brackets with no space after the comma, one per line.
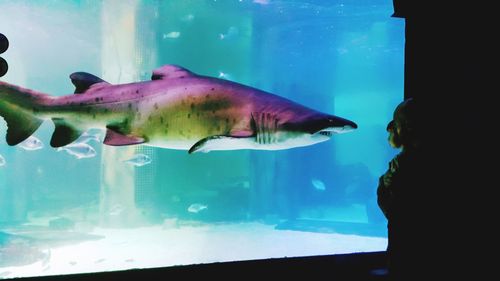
[17,107]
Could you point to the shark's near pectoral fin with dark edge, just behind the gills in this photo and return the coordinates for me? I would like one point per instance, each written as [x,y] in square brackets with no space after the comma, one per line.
[221,142]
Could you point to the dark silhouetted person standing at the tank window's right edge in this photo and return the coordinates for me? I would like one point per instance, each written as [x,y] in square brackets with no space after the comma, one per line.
[399,192]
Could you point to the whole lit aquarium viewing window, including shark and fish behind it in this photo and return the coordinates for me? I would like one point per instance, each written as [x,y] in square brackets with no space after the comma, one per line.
[141,134]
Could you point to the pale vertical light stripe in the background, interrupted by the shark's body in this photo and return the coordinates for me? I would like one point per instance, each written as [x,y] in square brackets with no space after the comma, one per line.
[118,66]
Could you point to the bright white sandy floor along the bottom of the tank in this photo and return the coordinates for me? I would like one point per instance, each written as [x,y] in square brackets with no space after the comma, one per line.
[177,243]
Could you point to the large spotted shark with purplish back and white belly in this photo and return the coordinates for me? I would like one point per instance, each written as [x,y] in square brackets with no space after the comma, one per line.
[176,109]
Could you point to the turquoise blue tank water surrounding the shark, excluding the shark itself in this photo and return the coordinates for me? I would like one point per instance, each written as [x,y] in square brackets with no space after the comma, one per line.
[340,57]
